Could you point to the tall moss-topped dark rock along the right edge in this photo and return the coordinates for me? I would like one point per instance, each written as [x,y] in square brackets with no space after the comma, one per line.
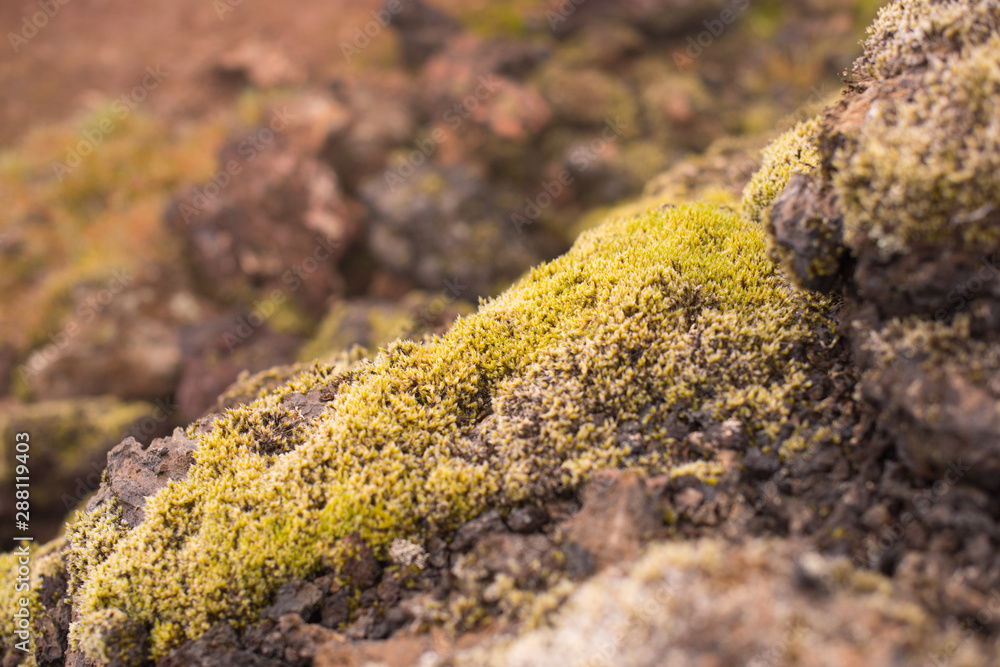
[898,217]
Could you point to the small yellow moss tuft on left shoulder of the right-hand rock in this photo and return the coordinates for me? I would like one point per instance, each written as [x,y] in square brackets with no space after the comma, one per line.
[794,152]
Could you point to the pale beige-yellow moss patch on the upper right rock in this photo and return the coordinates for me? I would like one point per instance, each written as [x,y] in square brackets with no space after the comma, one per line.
[924,166]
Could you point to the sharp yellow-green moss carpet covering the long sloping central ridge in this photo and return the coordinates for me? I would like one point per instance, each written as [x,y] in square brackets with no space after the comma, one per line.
[665,322]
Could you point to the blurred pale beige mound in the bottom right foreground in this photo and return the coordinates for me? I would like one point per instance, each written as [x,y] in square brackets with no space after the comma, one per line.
[758,614]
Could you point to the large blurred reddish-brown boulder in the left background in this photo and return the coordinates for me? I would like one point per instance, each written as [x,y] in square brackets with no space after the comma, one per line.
[274,230]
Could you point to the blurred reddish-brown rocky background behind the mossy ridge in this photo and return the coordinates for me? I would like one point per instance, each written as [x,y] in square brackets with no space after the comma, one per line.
[202,189]
